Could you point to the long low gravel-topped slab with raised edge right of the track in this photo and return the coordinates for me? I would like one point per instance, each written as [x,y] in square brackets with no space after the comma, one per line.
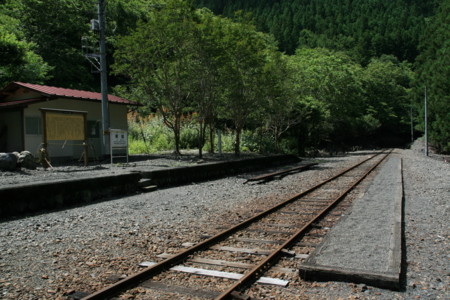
[366,245]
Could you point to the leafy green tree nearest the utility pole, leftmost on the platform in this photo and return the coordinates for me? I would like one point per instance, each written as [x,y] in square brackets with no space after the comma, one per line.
[158,57]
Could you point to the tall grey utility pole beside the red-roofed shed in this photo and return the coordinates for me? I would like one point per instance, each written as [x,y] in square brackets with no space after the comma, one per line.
[103,76]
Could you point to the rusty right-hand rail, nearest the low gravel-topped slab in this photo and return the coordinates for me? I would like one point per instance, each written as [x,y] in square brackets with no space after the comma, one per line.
[265,264]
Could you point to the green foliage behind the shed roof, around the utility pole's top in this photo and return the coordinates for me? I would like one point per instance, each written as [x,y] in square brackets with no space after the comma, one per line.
[50,32]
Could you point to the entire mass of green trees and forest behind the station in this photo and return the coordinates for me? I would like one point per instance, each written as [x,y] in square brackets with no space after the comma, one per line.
[347,73]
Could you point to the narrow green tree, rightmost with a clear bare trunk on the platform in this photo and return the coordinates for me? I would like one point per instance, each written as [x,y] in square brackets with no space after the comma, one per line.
[243,71]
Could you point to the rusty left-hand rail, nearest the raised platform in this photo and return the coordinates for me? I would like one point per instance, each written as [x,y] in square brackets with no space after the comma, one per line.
[151,271]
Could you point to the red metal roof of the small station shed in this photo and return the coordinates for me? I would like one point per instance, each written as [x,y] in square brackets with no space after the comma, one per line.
[69,93]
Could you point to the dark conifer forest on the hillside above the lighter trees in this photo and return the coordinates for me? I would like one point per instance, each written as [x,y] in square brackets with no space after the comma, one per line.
[366,28]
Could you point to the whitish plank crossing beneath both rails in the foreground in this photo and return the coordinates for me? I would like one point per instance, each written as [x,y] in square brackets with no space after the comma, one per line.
[228,275]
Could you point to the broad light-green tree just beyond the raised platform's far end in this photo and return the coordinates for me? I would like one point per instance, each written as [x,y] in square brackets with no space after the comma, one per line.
[331,83]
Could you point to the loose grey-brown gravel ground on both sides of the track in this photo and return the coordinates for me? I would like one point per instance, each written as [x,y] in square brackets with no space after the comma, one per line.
[83,249]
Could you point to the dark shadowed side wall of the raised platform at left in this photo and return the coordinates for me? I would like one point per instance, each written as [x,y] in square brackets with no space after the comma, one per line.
[30,198]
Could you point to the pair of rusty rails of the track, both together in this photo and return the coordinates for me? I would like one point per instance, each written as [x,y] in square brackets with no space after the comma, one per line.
[149,272]
